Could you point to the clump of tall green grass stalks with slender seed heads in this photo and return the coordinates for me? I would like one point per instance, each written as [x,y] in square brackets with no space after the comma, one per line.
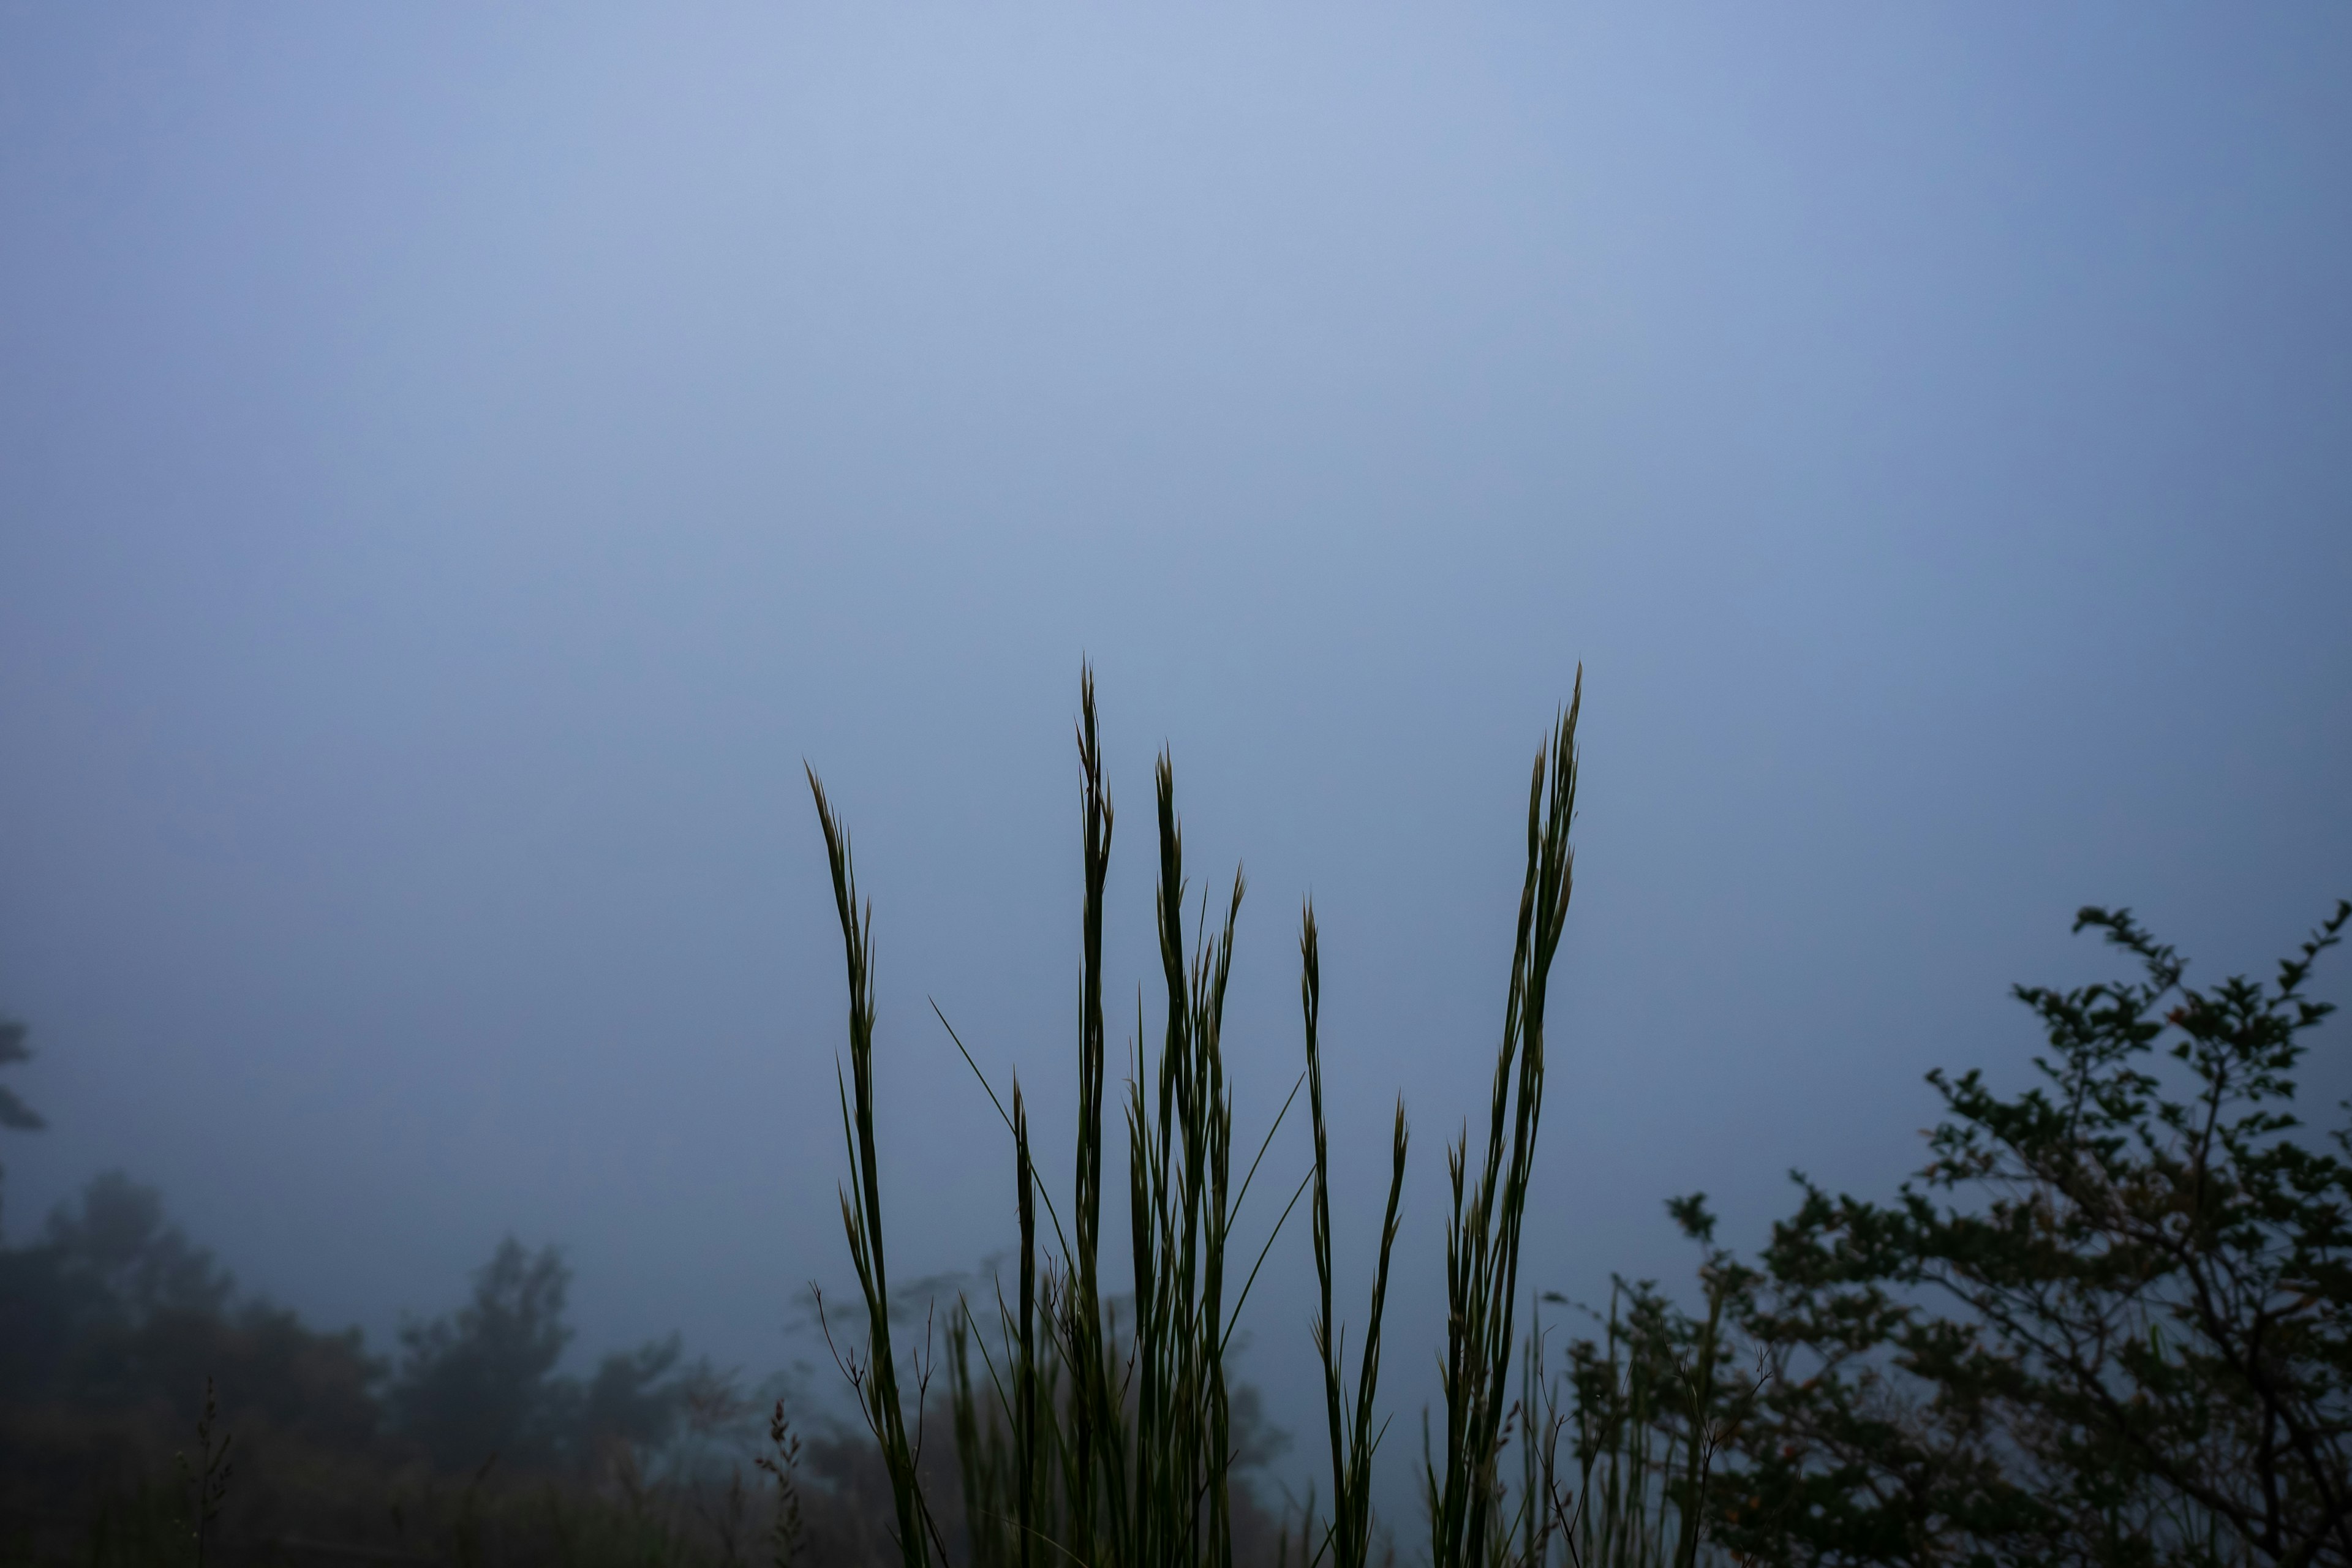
[1102,1442]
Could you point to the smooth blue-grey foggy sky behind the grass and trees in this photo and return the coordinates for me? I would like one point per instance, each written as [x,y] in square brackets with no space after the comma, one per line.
[455,469]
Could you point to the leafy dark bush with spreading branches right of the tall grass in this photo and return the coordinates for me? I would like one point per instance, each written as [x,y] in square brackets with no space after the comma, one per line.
[2109,1322]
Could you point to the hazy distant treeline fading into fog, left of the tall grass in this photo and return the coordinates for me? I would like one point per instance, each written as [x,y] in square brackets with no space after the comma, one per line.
[116,1332]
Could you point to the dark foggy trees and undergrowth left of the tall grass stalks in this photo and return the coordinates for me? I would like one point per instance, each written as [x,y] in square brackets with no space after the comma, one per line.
[147,1409]
